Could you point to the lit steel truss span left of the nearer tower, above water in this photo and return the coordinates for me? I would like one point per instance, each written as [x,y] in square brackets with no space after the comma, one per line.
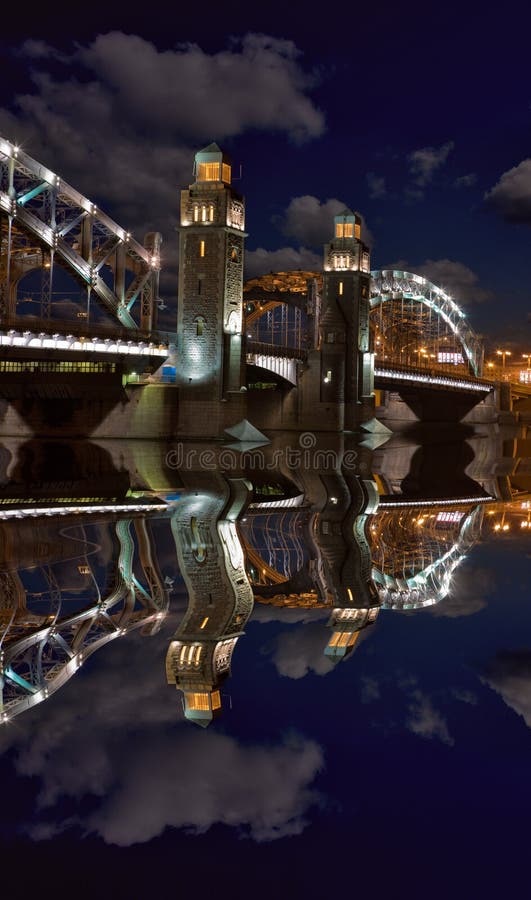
[45,221]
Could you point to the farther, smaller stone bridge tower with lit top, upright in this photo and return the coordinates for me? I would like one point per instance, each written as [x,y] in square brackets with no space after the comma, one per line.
[347,363]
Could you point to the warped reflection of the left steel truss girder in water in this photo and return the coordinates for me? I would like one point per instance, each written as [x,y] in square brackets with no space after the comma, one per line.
[36,664]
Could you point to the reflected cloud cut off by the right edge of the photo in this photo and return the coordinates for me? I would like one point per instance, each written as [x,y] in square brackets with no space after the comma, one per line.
[509,674]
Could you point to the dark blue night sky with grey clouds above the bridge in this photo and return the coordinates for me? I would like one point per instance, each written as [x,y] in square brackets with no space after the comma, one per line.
[419,117]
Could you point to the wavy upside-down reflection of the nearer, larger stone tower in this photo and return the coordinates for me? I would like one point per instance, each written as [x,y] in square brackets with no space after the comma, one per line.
[220,597]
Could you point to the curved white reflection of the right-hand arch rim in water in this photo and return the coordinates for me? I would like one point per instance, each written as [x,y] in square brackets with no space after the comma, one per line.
[431,583]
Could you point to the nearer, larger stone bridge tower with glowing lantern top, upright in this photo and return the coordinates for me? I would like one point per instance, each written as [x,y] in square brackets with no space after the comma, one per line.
[210,316]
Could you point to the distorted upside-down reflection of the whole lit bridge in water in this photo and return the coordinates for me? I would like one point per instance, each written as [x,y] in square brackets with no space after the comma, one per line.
[81,569]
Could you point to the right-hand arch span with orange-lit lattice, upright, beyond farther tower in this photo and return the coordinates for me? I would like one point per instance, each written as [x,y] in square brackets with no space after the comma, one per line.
[418,325]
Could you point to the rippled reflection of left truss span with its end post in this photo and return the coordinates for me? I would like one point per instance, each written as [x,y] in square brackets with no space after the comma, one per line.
[39,653]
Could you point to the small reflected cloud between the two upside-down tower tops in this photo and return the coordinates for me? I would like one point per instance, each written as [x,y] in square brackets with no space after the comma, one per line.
[298,652]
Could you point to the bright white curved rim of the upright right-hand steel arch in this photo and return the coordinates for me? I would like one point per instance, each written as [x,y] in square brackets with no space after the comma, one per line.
[392,285]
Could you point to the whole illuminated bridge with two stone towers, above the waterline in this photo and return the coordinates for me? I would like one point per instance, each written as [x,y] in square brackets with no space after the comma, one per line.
[337,342]
